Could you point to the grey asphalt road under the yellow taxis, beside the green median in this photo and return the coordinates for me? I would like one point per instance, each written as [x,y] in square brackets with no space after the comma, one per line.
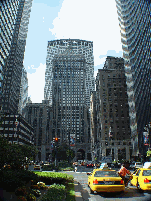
[130,194]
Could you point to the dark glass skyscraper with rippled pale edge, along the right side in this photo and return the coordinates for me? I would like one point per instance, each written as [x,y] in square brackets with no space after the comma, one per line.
[134,21]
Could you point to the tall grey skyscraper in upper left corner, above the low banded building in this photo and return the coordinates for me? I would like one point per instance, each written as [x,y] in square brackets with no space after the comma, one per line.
[15,19]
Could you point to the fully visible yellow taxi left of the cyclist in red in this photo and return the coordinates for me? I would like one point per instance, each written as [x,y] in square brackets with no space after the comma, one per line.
[105,180]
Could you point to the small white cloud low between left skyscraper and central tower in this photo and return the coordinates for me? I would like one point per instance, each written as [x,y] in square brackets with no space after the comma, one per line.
[36,82]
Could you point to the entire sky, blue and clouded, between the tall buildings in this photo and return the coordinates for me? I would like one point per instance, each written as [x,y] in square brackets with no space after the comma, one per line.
[95,20]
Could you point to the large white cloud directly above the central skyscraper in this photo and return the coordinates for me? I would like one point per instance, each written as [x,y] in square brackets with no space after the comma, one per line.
[97,22]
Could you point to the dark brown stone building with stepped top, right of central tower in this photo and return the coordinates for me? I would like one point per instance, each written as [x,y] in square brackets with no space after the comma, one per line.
[115,136]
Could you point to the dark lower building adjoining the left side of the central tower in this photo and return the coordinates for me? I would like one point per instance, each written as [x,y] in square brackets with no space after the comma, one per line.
[39,115]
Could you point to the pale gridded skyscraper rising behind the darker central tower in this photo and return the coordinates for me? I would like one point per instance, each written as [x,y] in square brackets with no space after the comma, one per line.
[82,47]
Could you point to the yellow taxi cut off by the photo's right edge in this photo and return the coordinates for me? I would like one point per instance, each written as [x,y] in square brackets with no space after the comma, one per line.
[142,179]
